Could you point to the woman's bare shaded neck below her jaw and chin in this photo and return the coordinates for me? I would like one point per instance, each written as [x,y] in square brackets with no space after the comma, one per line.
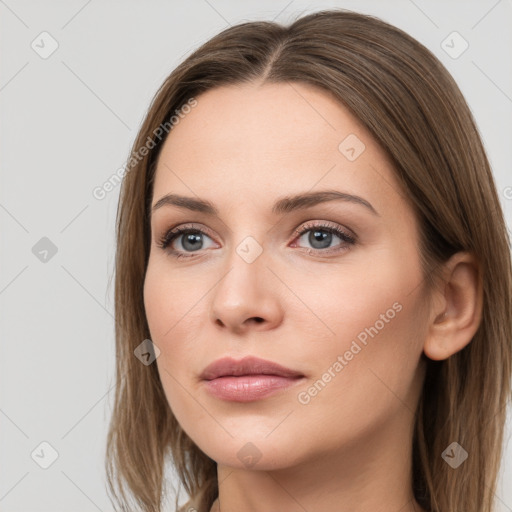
[372,473]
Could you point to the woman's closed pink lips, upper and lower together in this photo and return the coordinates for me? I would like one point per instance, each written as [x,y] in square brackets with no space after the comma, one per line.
[248,379]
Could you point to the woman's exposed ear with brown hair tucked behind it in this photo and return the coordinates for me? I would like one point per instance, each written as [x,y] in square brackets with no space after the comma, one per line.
[456,309]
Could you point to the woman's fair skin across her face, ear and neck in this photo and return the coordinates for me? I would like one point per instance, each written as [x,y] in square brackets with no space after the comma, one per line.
[349,448]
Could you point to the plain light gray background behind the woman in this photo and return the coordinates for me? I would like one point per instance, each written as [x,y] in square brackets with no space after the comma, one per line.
[67,123]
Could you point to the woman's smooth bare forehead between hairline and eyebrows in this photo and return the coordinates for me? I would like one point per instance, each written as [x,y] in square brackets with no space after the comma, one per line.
[251,143]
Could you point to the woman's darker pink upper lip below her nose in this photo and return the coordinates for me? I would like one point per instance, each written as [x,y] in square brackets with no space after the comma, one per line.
[247,366]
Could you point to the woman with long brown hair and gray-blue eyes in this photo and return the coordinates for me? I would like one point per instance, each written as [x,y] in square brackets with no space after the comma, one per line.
[313,272]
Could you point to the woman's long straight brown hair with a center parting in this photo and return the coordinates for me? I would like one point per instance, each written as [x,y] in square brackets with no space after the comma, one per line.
[405,97]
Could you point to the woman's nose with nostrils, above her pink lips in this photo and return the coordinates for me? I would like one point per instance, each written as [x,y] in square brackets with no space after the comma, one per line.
[247,297]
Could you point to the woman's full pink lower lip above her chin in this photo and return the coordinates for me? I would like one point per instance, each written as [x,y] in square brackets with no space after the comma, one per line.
[248,388]
